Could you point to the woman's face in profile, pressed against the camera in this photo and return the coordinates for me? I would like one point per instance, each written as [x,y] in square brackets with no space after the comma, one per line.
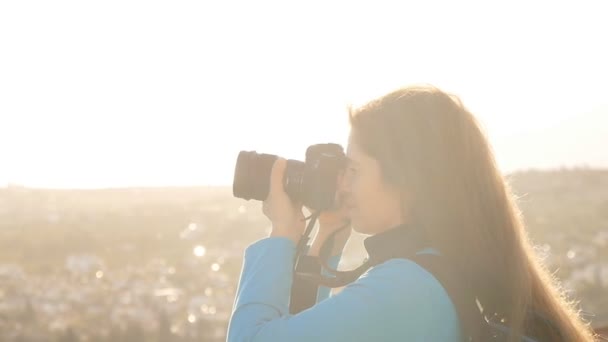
[374,206]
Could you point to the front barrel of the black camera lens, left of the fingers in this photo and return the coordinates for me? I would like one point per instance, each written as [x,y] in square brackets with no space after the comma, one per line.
[252,175]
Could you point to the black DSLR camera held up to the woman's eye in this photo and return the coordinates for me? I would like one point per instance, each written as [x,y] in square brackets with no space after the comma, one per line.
[313,182]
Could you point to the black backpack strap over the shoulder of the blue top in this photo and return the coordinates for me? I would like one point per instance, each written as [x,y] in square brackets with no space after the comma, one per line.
[472,322]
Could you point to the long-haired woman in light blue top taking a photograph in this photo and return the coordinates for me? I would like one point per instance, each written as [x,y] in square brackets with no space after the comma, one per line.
[421,178]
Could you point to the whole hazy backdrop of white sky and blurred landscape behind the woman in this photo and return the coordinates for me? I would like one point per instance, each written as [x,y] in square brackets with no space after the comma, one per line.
[120,123]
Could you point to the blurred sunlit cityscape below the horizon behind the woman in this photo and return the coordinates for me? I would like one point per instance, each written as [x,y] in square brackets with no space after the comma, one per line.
[162,264]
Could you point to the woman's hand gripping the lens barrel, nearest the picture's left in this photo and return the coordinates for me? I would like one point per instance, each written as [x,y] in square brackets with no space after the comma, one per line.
[287,217]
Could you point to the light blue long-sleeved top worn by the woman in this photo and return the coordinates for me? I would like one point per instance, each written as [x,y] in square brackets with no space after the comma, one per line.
[396,300]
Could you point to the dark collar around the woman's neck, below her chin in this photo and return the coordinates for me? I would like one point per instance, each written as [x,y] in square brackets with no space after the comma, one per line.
[401,241]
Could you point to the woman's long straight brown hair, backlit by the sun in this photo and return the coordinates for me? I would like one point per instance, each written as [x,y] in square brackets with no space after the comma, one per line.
[435,151]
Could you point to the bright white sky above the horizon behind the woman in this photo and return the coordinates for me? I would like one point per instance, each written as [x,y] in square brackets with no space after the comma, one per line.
[135,93]
